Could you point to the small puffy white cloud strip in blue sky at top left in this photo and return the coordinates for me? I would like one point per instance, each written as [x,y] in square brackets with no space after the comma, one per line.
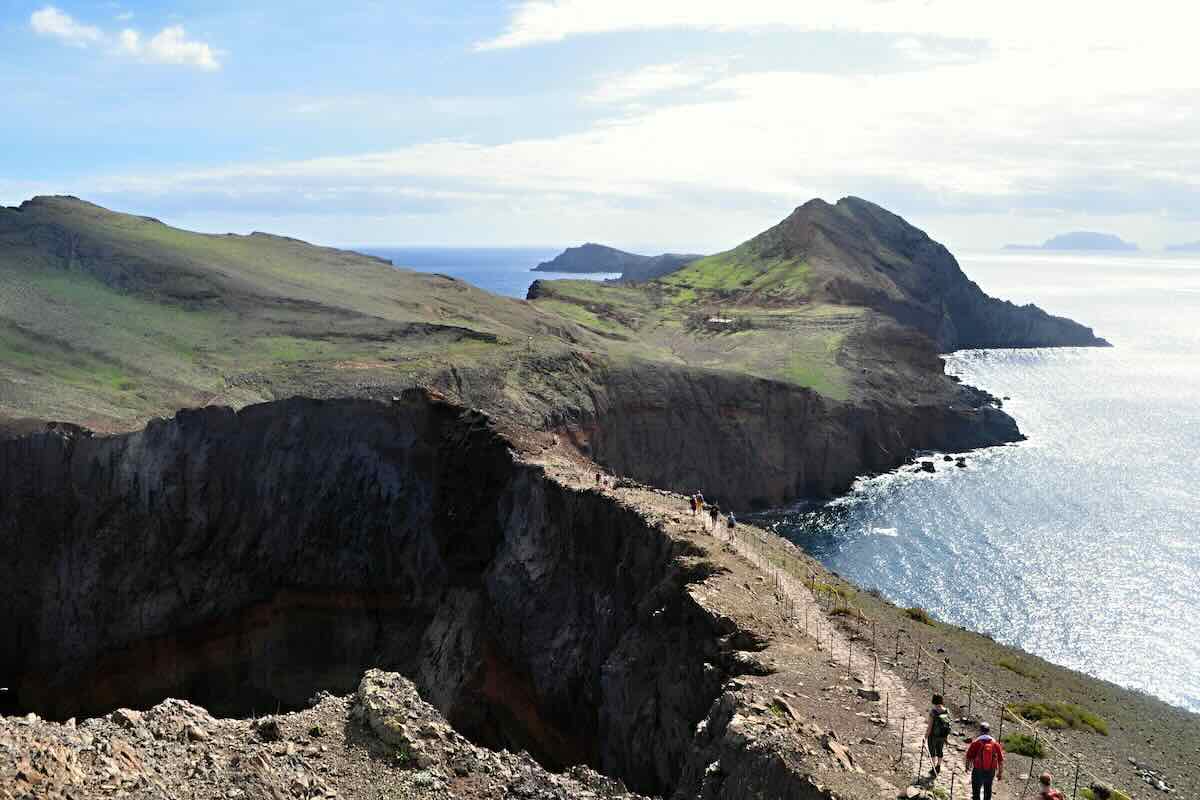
[169,46]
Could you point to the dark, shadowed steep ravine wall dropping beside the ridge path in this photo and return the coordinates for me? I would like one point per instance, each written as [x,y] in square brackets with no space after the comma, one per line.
[247,561]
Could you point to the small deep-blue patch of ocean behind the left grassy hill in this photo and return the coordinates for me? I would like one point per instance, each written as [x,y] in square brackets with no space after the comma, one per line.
[503,270]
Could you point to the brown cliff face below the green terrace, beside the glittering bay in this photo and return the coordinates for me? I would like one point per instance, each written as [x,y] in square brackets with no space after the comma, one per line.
[757,444]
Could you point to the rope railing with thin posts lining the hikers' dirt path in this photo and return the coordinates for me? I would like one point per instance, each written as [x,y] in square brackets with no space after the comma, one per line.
[842,605]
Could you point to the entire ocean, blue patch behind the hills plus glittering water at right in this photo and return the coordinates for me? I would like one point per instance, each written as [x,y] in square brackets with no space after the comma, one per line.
[1081,545]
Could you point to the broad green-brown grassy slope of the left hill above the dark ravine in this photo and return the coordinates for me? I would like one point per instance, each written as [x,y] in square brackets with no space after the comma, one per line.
[107,318]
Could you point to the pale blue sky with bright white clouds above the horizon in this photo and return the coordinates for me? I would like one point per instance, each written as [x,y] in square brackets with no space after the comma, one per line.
[655,125]
